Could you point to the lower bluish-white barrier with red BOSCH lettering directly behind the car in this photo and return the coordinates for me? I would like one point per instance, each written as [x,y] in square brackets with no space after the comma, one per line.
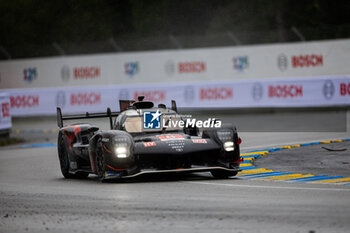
[287,92]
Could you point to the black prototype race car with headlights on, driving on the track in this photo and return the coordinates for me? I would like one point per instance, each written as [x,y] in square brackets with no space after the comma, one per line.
[144,139]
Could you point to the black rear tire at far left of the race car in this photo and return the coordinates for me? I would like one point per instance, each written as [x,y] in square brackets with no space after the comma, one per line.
[64,160]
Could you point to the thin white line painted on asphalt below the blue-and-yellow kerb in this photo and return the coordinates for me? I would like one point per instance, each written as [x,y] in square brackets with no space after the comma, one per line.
[267,187]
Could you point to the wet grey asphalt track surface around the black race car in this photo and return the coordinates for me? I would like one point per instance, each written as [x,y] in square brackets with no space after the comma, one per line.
[35,198]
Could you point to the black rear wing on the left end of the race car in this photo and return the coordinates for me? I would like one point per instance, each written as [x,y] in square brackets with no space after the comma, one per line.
[87,115]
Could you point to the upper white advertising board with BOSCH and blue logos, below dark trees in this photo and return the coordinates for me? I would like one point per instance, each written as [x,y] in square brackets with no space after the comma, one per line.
[294,60]
